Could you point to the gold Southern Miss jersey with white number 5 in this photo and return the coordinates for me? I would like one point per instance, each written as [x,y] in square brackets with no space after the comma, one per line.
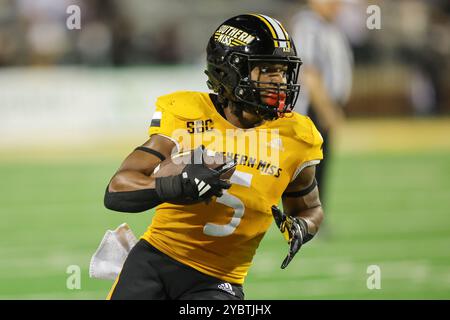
[220,238]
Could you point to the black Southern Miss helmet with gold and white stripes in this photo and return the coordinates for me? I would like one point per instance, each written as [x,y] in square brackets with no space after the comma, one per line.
[240,44]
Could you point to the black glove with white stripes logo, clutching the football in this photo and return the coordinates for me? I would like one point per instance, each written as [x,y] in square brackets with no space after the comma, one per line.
[196,182]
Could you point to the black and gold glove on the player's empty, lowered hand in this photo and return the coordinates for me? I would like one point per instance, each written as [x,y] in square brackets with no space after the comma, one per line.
[295,231]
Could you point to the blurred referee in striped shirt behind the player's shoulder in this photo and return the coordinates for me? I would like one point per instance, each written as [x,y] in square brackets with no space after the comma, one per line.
[326,71]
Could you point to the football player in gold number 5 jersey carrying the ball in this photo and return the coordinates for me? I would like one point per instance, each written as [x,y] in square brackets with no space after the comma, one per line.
[203,250]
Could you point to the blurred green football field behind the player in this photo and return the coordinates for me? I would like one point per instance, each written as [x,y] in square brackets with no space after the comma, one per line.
[385,208]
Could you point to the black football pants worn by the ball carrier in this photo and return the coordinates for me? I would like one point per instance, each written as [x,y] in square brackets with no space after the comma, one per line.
[149,274]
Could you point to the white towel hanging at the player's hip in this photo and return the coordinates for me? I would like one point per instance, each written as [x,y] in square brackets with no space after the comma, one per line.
[108,260]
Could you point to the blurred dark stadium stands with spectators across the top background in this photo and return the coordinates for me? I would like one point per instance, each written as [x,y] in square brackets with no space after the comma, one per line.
[402,69]
